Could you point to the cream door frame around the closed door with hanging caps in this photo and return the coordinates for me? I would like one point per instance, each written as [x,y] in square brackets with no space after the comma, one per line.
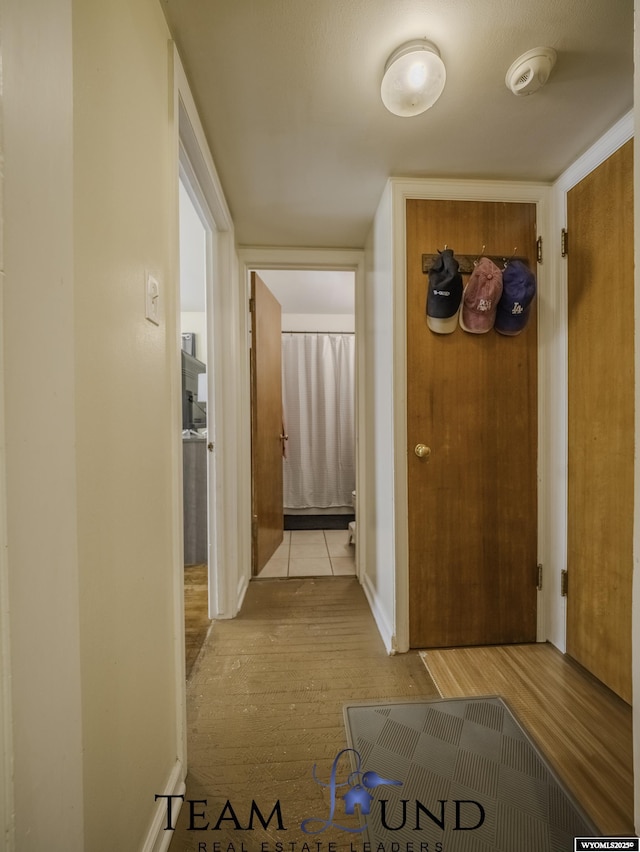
[437,189]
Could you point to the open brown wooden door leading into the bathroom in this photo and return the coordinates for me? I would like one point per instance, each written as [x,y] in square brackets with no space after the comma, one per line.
[266,423]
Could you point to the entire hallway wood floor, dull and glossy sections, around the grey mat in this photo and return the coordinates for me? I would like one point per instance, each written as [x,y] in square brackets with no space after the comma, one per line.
[266,692]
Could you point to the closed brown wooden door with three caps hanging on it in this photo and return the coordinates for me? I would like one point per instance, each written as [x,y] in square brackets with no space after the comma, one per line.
[472,398]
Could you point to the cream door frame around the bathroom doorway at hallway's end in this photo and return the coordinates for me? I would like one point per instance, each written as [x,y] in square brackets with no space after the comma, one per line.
[330,260]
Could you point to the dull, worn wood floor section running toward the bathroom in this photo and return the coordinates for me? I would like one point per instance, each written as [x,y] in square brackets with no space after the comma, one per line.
[265,704]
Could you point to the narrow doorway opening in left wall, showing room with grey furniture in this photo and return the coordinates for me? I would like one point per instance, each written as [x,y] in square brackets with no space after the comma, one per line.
[194,358]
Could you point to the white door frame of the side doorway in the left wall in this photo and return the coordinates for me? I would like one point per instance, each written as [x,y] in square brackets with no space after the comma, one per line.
[192,159]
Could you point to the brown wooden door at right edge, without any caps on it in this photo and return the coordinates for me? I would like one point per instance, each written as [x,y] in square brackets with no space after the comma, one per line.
[601,421]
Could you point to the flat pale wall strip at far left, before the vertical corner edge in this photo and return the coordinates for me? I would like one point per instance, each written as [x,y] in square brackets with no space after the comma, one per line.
[39,399]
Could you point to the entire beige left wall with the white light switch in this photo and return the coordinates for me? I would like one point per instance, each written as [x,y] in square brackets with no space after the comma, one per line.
[91,424]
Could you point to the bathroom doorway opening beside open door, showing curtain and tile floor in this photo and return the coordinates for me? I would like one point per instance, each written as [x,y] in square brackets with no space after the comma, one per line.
[318,380]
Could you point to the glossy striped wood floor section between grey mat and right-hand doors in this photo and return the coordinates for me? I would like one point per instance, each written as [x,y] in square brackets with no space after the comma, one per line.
[583,729]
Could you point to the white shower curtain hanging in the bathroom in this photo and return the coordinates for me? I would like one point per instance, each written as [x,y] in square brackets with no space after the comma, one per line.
[318,380]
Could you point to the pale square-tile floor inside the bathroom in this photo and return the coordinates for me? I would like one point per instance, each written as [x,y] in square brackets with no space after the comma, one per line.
[312,553]
